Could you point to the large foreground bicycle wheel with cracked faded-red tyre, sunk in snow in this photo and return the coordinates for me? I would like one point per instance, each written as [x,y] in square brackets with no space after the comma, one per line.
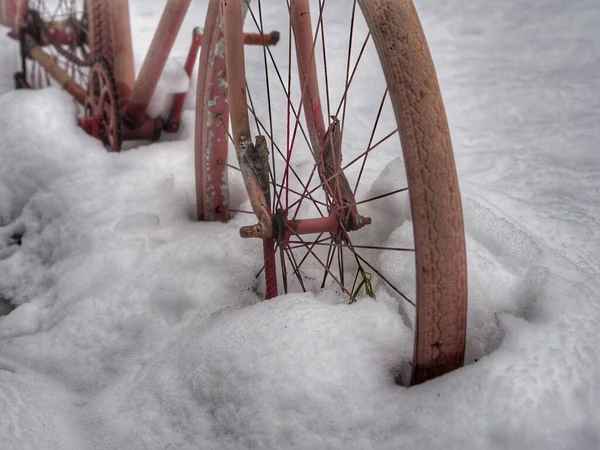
[350,210]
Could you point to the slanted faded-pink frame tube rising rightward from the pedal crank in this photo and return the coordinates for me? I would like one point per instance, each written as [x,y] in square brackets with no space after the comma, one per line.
[134,112]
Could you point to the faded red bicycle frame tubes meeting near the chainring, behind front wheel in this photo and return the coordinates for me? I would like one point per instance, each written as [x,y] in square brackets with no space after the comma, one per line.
[135,94]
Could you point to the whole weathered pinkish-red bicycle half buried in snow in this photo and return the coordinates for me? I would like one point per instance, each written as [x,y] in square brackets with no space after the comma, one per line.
[85,47]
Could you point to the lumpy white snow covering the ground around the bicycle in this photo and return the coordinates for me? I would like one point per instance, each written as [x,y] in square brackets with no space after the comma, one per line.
[137,327]
